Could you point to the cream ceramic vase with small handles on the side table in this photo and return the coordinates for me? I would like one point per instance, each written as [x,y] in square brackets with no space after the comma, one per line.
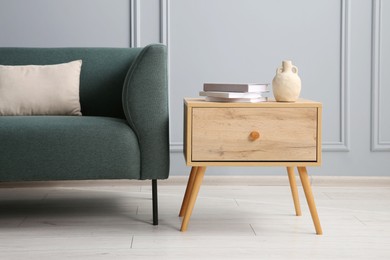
[286,84]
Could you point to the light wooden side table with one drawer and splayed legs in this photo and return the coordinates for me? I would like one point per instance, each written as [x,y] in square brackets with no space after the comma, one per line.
[252,134]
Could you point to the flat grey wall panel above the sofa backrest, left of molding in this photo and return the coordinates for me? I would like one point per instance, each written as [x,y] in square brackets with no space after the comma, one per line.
[57,23]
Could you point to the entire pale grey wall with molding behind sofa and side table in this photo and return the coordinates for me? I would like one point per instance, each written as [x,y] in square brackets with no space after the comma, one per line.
[341,48]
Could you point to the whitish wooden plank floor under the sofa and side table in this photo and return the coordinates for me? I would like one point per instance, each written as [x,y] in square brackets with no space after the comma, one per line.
[247,218]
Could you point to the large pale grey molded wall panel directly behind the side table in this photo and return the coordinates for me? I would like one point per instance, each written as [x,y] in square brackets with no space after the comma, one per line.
[230,41]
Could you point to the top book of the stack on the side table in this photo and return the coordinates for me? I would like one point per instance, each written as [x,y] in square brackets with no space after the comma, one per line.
[232,87]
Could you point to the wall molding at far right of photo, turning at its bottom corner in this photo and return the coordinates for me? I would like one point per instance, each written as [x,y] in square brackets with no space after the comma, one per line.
[377,145]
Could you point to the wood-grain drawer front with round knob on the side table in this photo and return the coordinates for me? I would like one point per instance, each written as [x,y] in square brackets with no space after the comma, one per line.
[254,134]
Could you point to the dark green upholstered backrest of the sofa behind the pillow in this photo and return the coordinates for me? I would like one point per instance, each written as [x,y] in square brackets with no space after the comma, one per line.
[102,73]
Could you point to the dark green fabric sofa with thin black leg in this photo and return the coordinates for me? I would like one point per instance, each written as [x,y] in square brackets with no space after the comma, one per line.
[123,132]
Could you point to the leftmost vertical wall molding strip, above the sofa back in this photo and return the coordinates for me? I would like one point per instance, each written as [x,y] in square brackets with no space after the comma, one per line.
[135,23]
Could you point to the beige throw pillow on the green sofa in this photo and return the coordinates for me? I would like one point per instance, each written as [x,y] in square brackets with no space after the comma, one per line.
[40,89]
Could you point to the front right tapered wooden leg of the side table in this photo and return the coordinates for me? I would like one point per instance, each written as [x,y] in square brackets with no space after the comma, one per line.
[310,199]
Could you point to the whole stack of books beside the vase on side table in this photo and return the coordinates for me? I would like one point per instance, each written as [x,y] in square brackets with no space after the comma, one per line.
[225,92]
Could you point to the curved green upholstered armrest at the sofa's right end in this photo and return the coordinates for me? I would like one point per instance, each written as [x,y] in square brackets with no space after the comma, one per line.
[145,104]
